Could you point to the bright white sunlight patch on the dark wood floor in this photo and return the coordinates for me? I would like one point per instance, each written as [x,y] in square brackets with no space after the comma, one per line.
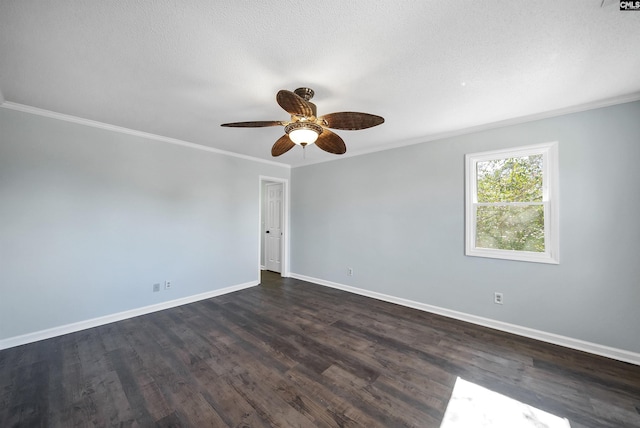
[472,406]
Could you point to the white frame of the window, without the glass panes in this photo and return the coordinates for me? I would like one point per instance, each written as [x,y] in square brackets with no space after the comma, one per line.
[549,152]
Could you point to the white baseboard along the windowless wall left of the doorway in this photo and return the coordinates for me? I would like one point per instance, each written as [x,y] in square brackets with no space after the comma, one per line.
[107,319]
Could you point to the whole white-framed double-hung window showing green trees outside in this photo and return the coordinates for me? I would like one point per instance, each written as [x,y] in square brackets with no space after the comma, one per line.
[512,204]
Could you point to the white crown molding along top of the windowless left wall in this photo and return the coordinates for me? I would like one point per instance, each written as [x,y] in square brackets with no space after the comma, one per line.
[119,129]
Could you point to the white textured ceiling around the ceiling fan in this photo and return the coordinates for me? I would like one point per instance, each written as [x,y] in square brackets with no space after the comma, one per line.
[181,68]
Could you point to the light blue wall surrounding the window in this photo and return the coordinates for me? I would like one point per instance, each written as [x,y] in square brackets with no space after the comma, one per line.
[397,218]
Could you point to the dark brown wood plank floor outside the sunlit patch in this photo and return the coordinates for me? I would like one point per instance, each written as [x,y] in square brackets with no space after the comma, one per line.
[294,354]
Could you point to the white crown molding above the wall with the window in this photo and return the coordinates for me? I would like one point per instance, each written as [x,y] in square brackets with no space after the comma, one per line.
[629,98]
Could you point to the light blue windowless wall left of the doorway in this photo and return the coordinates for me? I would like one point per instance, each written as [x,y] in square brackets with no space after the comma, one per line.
[90,219]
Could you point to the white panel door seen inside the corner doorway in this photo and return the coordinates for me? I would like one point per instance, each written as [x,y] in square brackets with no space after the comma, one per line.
[273,227]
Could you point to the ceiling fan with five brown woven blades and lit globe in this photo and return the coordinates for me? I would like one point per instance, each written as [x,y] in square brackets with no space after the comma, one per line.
[306,127]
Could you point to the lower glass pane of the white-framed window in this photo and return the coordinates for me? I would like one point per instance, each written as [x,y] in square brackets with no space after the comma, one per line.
[518,228]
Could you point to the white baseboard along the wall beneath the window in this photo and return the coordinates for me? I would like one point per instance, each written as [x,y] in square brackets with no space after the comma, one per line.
[568,342]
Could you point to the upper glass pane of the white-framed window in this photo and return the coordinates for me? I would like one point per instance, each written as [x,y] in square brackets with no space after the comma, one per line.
[517,179]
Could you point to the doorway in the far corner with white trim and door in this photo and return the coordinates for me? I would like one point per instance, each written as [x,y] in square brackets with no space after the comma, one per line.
[273,224]
